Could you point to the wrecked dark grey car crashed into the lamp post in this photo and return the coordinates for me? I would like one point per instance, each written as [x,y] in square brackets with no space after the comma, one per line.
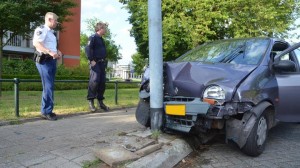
[240,87]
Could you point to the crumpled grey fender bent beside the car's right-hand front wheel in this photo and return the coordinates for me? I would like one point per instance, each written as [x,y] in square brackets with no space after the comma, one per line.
[239,130]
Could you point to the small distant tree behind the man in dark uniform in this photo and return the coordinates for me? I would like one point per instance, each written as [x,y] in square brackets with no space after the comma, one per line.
[112,49]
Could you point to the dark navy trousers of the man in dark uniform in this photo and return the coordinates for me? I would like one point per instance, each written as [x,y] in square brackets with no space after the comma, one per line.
[97,80]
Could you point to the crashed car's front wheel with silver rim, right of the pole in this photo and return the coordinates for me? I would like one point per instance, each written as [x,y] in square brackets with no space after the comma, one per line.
[256,141]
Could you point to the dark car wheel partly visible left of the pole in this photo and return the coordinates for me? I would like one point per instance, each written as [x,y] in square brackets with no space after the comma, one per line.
[142,113]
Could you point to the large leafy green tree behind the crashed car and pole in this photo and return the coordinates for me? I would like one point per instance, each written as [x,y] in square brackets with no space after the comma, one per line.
[188,23]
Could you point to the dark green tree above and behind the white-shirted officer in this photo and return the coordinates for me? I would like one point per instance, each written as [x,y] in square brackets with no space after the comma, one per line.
[21,17]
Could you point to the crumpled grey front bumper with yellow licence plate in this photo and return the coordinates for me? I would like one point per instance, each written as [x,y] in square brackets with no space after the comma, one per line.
[195,109]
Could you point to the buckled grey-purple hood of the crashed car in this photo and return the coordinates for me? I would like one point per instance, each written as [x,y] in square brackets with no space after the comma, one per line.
[189,79]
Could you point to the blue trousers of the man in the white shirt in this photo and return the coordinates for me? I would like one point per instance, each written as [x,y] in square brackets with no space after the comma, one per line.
[47,70]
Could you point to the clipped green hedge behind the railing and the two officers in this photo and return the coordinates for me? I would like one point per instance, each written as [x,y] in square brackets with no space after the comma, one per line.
[27,70]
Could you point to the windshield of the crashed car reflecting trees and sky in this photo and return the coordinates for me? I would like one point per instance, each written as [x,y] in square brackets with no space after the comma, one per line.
[237,51]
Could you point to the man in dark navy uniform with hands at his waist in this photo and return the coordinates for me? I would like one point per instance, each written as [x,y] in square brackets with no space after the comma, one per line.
[96,53]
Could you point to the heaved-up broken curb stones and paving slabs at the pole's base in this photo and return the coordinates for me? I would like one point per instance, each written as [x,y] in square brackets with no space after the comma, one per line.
[166,152]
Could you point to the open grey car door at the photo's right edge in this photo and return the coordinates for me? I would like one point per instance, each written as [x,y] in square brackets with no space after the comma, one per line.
[288,109]
